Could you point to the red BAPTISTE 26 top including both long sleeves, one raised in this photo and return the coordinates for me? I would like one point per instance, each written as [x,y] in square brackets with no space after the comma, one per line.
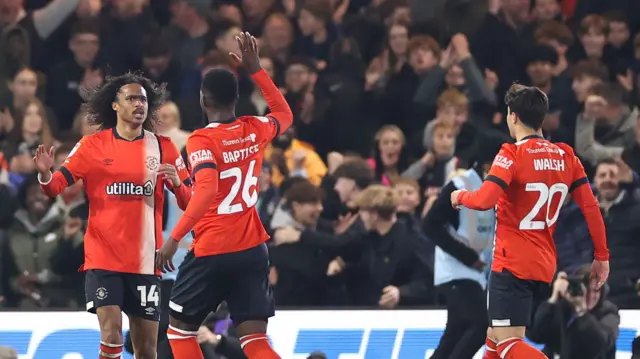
[234,149]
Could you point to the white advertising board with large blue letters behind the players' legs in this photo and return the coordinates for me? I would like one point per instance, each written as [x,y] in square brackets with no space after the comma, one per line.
[380,334]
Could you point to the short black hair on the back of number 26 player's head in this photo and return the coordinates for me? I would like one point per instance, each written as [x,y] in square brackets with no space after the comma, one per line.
[219,89]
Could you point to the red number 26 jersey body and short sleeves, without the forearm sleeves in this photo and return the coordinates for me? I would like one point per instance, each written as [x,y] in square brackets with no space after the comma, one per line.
[235,149]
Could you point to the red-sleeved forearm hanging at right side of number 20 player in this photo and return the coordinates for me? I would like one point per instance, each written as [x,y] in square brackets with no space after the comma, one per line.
[591,211]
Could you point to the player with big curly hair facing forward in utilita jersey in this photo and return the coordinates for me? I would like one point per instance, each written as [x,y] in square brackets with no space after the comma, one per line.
[124,168]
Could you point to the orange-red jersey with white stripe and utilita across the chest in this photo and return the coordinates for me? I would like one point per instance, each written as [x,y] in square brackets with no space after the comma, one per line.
[125,197]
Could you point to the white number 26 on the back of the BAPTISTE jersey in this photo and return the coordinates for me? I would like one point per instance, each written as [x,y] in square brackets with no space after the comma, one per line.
[242,182]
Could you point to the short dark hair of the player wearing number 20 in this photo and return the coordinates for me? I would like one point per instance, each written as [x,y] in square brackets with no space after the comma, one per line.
[529,103]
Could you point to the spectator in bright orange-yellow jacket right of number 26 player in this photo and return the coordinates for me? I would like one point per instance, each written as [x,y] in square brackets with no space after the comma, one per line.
[293,158]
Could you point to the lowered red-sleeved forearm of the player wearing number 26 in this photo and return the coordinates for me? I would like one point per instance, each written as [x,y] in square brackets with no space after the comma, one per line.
[203,197]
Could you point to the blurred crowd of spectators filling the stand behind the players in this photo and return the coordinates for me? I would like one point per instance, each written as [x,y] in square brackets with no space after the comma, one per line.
[390,98]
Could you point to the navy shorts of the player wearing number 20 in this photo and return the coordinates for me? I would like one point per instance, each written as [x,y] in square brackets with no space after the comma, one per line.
[513,301]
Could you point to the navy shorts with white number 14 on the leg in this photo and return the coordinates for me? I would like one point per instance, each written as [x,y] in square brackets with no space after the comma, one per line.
[136,294]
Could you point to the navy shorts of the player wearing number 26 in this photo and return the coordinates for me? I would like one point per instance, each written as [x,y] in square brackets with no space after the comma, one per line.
[240,278]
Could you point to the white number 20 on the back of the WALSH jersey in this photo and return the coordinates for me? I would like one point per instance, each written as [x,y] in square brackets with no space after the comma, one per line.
[545,199]
